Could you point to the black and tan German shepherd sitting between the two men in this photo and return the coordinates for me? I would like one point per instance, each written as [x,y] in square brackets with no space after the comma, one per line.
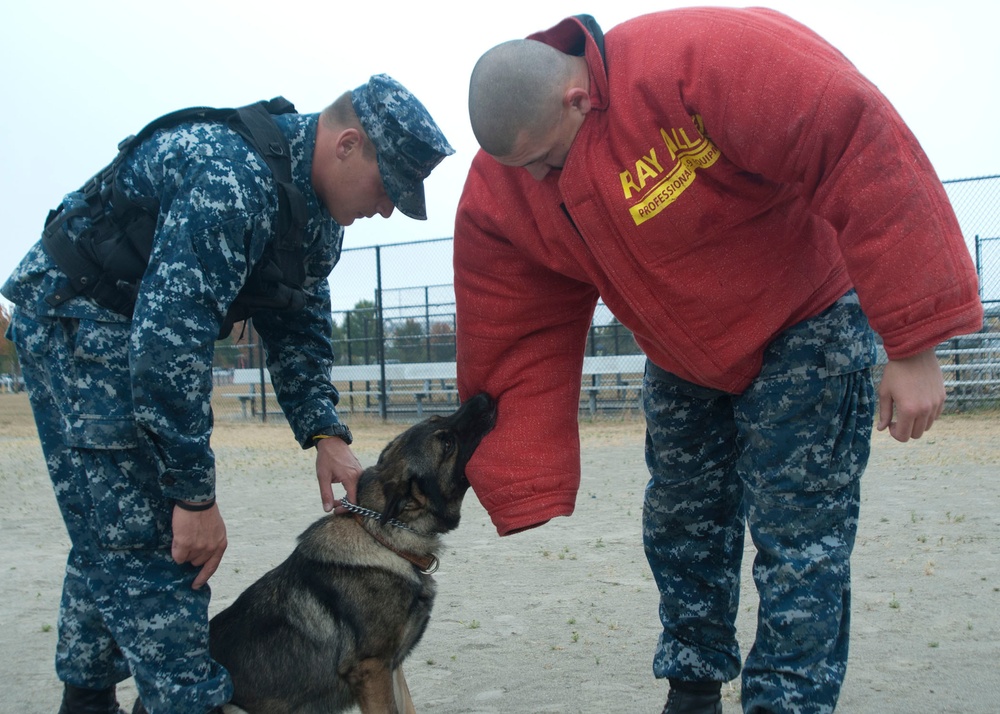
[330,626]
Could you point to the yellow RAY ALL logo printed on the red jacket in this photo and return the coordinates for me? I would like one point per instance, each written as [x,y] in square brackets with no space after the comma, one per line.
[659,186]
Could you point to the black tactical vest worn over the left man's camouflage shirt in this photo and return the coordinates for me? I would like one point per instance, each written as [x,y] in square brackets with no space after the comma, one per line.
[108,260]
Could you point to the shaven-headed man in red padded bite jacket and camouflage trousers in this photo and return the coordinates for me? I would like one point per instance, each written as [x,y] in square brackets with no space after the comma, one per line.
[750,206]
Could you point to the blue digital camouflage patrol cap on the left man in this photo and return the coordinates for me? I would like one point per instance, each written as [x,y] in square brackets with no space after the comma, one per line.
[408,142]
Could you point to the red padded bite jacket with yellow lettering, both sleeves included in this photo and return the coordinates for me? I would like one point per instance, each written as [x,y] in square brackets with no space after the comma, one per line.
[734,176]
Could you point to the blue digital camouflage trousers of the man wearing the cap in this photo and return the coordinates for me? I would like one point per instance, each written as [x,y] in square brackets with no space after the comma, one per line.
[127,608]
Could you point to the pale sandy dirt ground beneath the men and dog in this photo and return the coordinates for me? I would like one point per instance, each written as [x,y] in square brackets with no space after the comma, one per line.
[564,618]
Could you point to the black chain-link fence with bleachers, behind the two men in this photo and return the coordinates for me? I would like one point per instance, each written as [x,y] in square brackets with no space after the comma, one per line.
[394,333]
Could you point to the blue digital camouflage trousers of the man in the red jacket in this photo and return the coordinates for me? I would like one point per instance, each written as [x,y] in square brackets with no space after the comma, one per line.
[784,460]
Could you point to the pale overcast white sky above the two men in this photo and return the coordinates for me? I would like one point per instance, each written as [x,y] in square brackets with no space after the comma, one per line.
[78,76]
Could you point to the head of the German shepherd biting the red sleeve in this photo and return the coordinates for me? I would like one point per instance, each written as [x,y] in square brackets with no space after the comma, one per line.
[420,476]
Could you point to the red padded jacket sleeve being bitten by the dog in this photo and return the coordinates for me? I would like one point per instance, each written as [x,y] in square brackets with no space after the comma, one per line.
[521,332]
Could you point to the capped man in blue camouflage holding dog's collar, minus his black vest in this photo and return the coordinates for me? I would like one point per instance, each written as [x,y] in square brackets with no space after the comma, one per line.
[123,406]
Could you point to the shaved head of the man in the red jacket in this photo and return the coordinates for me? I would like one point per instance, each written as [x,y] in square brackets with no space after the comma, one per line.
[518,86]
